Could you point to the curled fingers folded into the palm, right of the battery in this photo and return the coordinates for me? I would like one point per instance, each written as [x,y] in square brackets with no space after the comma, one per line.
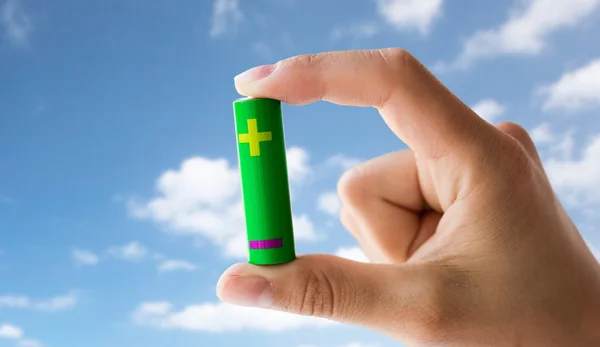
[383,206]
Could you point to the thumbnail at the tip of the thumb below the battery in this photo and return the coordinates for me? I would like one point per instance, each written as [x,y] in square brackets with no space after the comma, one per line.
[252,291]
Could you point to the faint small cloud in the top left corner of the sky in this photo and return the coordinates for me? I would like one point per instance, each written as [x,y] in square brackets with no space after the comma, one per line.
[15,22]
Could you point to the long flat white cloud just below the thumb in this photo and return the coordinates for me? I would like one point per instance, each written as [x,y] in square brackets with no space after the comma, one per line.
[220,318]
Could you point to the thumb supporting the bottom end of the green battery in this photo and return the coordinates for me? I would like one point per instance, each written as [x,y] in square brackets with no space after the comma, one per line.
[329,287]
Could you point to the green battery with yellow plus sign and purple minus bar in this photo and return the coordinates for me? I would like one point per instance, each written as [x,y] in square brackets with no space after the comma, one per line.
[264,180]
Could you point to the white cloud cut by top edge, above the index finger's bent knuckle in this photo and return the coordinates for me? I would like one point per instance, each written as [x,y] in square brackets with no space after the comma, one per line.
[410,14]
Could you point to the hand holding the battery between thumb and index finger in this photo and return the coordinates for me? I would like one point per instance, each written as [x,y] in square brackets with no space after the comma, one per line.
[468,243]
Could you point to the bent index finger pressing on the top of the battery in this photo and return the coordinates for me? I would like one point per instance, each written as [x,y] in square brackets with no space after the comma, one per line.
[414,104]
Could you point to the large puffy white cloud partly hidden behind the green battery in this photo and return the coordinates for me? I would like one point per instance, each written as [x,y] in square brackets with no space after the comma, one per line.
[203,198]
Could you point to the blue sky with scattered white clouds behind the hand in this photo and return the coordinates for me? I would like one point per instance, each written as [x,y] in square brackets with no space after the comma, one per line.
[119,196]
